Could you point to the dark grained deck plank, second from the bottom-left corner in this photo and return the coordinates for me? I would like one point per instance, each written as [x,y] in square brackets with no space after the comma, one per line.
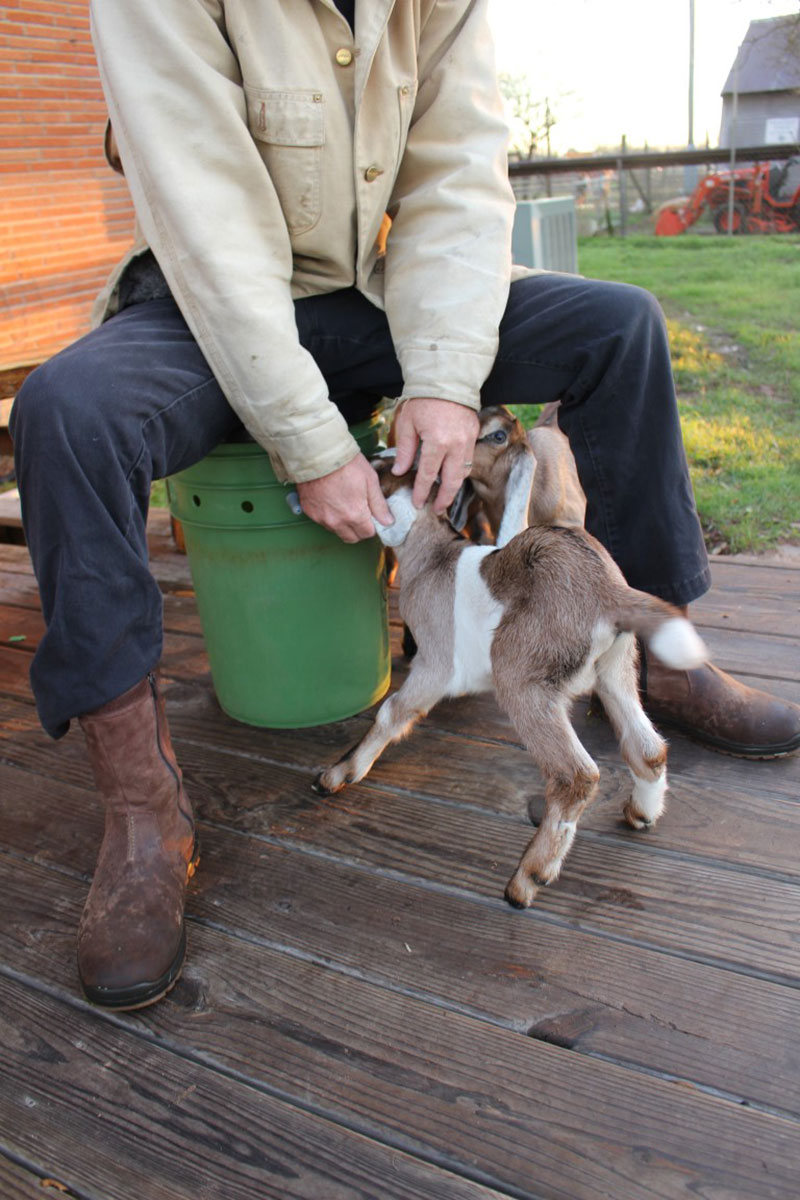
[163,1127]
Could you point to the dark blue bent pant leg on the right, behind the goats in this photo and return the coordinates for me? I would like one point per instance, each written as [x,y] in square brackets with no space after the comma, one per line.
[603,350]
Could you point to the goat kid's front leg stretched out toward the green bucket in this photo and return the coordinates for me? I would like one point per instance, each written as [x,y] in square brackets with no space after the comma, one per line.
[396,718]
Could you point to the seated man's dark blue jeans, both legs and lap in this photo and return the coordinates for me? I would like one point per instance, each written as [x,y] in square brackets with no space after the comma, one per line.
[135,401]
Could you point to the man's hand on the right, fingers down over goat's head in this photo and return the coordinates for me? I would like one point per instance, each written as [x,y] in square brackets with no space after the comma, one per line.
[448,433]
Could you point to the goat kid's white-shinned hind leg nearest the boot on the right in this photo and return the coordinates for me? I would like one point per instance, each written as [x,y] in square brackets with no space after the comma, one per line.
[641,746]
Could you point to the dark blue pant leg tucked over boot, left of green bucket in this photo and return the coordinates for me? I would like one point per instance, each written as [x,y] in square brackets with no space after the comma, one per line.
[131,403]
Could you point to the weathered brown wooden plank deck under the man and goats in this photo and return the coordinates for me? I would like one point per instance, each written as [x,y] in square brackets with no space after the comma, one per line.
[362,1016]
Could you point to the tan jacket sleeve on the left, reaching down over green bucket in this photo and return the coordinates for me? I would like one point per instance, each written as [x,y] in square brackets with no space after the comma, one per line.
[212,215]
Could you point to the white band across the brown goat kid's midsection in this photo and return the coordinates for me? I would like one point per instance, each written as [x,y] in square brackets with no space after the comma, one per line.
[477,616]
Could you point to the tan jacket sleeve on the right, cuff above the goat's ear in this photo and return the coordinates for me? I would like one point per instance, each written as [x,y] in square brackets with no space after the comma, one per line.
[449,253]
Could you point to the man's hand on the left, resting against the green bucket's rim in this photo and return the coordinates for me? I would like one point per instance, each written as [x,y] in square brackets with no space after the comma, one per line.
[346,501]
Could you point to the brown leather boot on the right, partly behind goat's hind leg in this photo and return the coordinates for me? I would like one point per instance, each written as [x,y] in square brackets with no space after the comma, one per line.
[714,709]
